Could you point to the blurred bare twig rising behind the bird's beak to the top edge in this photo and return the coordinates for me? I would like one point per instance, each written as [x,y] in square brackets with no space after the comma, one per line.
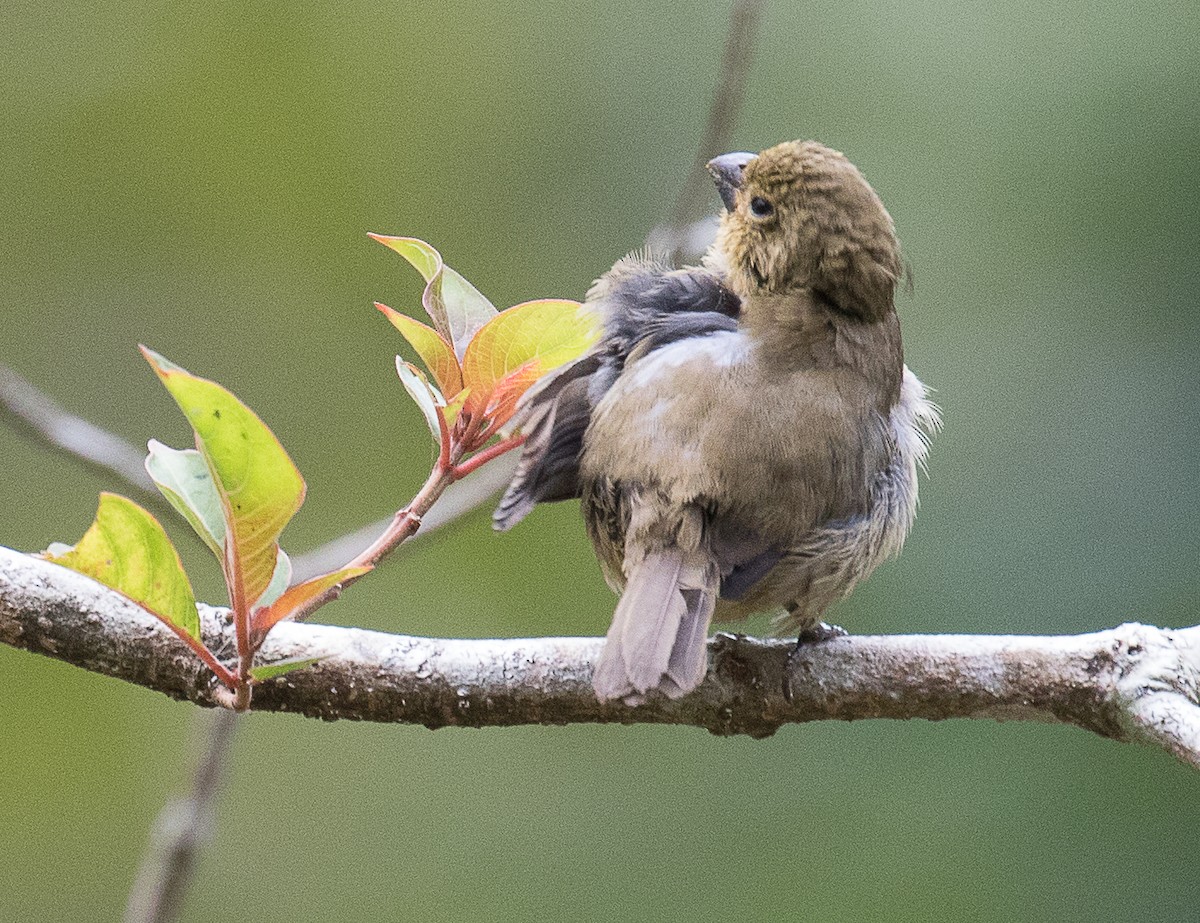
[691,226]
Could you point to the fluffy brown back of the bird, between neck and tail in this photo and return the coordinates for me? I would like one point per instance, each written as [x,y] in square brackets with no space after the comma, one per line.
[700,421]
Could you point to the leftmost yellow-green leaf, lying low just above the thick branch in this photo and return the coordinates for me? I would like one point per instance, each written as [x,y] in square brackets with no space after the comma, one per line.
[125,549]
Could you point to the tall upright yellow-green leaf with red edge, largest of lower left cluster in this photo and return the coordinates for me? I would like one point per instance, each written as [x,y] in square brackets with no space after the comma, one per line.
[261,489]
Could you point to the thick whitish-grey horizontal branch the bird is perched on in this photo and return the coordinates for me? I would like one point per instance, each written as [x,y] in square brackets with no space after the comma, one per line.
[1131,684]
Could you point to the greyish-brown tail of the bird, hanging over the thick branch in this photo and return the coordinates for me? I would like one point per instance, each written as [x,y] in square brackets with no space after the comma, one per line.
[661,628]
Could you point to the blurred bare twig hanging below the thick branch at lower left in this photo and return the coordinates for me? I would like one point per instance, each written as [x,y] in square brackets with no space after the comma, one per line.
[183,829]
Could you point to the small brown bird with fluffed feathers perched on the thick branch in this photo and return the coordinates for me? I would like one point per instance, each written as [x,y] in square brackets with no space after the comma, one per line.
[746,436]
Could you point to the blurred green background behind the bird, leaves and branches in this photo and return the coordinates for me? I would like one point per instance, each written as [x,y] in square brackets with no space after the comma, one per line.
[201,178]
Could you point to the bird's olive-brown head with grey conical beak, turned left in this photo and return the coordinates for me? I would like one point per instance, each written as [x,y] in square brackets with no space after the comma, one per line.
[801,217]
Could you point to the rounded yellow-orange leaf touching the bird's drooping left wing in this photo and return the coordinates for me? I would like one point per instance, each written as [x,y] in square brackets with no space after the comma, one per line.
[550,332]
